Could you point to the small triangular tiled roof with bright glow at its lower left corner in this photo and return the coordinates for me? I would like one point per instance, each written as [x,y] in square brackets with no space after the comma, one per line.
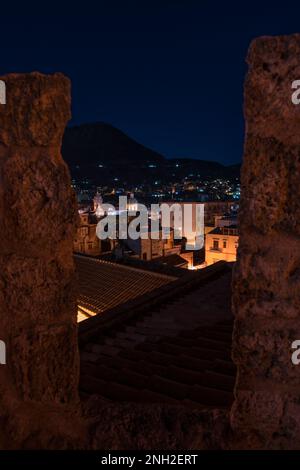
[103,285]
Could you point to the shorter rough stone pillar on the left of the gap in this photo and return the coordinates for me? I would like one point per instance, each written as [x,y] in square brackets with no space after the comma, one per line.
[37,298]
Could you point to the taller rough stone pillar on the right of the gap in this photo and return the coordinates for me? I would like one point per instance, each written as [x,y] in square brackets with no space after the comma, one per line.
[266,284]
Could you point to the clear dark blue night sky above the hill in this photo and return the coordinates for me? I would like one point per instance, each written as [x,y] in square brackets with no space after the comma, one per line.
[169,74]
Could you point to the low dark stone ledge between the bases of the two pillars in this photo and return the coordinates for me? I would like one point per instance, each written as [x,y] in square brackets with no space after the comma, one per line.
[129,426]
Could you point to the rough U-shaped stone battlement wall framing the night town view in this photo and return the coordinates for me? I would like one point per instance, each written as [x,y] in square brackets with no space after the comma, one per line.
[38,387]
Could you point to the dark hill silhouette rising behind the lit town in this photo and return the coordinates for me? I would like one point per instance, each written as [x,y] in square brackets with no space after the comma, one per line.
[103,153]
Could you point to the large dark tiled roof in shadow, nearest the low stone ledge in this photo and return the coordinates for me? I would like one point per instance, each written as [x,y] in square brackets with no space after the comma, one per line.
[178,353]
